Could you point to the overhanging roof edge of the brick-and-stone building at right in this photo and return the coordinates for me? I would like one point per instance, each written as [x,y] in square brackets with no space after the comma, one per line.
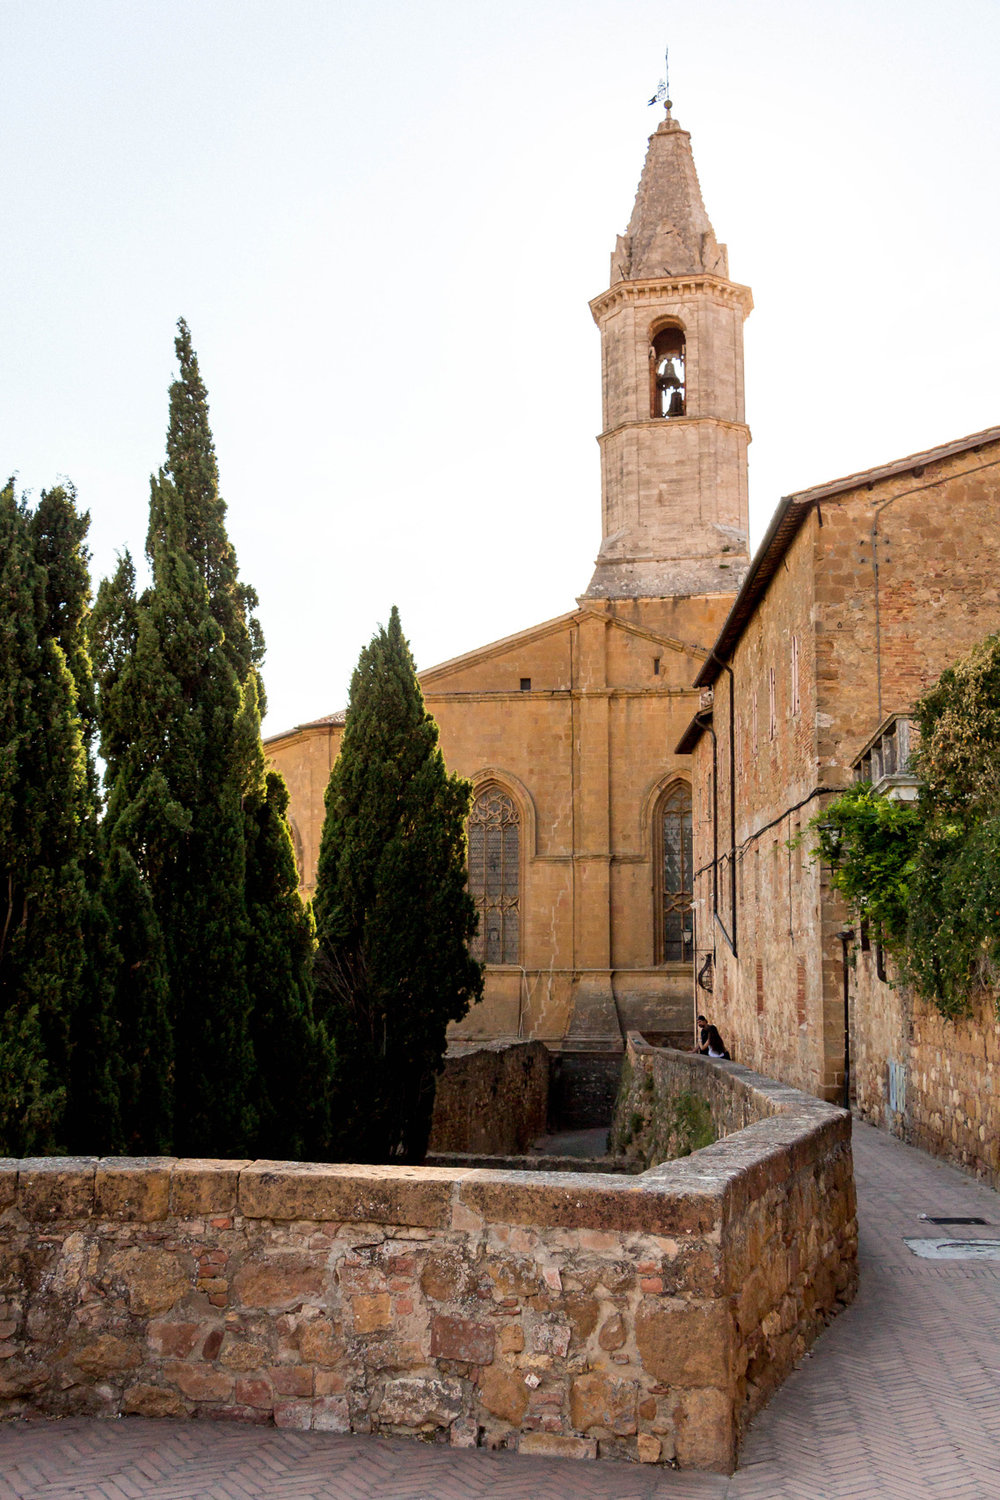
[786,524]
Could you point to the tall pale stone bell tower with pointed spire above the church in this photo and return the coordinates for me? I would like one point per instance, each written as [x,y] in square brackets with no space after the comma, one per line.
[674,448]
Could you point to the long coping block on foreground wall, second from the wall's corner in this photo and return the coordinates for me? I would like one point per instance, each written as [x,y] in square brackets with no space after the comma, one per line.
[283,1190]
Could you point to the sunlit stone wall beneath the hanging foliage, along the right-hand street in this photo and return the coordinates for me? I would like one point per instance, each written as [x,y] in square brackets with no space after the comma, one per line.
[932,1082]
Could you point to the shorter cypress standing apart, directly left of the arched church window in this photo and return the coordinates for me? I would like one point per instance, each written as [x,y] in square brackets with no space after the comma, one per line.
[394,913]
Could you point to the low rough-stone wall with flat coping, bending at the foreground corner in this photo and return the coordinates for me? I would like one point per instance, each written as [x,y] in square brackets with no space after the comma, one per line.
[558,1313]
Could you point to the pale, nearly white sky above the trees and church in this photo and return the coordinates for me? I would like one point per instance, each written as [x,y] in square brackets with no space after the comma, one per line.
[385,221]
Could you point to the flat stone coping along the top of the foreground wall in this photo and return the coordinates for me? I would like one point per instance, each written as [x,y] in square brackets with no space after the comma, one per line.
[692,1196]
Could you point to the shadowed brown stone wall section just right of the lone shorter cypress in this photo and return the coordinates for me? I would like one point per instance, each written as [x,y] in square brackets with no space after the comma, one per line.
[491,1100]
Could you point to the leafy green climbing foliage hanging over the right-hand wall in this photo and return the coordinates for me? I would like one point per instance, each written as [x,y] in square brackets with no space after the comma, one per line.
[927,877]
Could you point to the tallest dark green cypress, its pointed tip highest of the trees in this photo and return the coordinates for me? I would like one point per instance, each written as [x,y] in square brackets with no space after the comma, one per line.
[194,826]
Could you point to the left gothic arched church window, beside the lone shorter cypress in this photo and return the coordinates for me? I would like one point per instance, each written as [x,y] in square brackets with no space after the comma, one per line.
[496,875]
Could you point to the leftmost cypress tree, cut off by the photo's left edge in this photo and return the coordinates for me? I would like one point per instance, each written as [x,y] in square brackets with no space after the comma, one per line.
[43,833]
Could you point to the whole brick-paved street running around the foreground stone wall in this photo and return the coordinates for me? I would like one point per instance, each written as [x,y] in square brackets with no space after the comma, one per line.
[900,1399]
